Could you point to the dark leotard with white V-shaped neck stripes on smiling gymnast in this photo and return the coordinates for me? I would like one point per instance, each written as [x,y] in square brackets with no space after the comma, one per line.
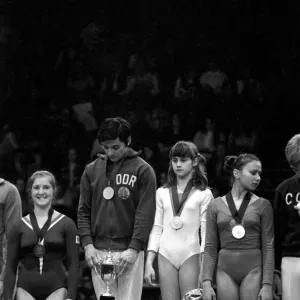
[41,277]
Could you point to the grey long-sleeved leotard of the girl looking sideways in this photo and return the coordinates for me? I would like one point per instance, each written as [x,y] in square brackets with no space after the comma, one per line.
[258,223]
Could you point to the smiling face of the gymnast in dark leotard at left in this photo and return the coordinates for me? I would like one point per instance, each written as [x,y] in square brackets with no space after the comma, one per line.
[42,192]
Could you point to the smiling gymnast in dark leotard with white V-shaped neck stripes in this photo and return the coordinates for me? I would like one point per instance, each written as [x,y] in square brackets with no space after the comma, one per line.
[39,244]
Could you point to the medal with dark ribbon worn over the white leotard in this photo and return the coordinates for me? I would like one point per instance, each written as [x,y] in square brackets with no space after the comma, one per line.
[177,222]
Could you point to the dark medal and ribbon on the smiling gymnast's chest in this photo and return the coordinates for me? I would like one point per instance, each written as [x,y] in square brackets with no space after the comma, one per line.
[39,249]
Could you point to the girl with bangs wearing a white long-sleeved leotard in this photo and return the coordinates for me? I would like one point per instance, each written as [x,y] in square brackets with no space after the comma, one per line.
[180,217]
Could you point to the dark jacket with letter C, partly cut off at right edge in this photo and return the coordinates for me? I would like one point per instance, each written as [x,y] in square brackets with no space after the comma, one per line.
[287,220]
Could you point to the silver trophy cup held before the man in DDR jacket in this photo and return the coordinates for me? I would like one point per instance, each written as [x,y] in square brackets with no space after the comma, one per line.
[107,270]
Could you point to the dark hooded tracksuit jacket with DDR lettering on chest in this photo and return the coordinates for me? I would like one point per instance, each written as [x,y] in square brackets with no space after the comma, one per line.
[125,220]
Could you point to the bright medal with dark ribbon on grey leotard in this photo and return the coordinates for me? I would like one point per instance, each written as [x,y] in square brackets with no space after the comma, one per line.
[238,230]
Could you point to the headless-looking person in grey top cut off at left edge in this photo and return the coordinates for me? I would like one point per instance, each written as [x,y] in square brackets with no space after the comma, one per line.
[10,213]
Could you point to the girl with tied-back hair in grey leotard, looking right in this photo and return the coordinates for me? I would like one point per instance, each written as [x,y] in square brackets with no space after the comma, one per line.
[240,224]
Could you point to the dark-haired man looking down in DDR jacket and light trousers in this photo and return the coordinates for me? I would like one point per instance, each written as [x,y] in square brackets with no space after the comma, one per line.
[116,209]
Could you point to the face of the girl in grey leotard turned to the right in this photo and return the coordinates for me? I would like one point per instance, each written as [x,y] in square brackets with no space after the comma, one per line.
[249,176]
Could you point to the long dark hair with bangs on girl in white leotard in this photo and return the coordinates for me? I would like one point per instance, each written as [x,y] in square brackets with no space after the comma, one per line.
[186,149]
